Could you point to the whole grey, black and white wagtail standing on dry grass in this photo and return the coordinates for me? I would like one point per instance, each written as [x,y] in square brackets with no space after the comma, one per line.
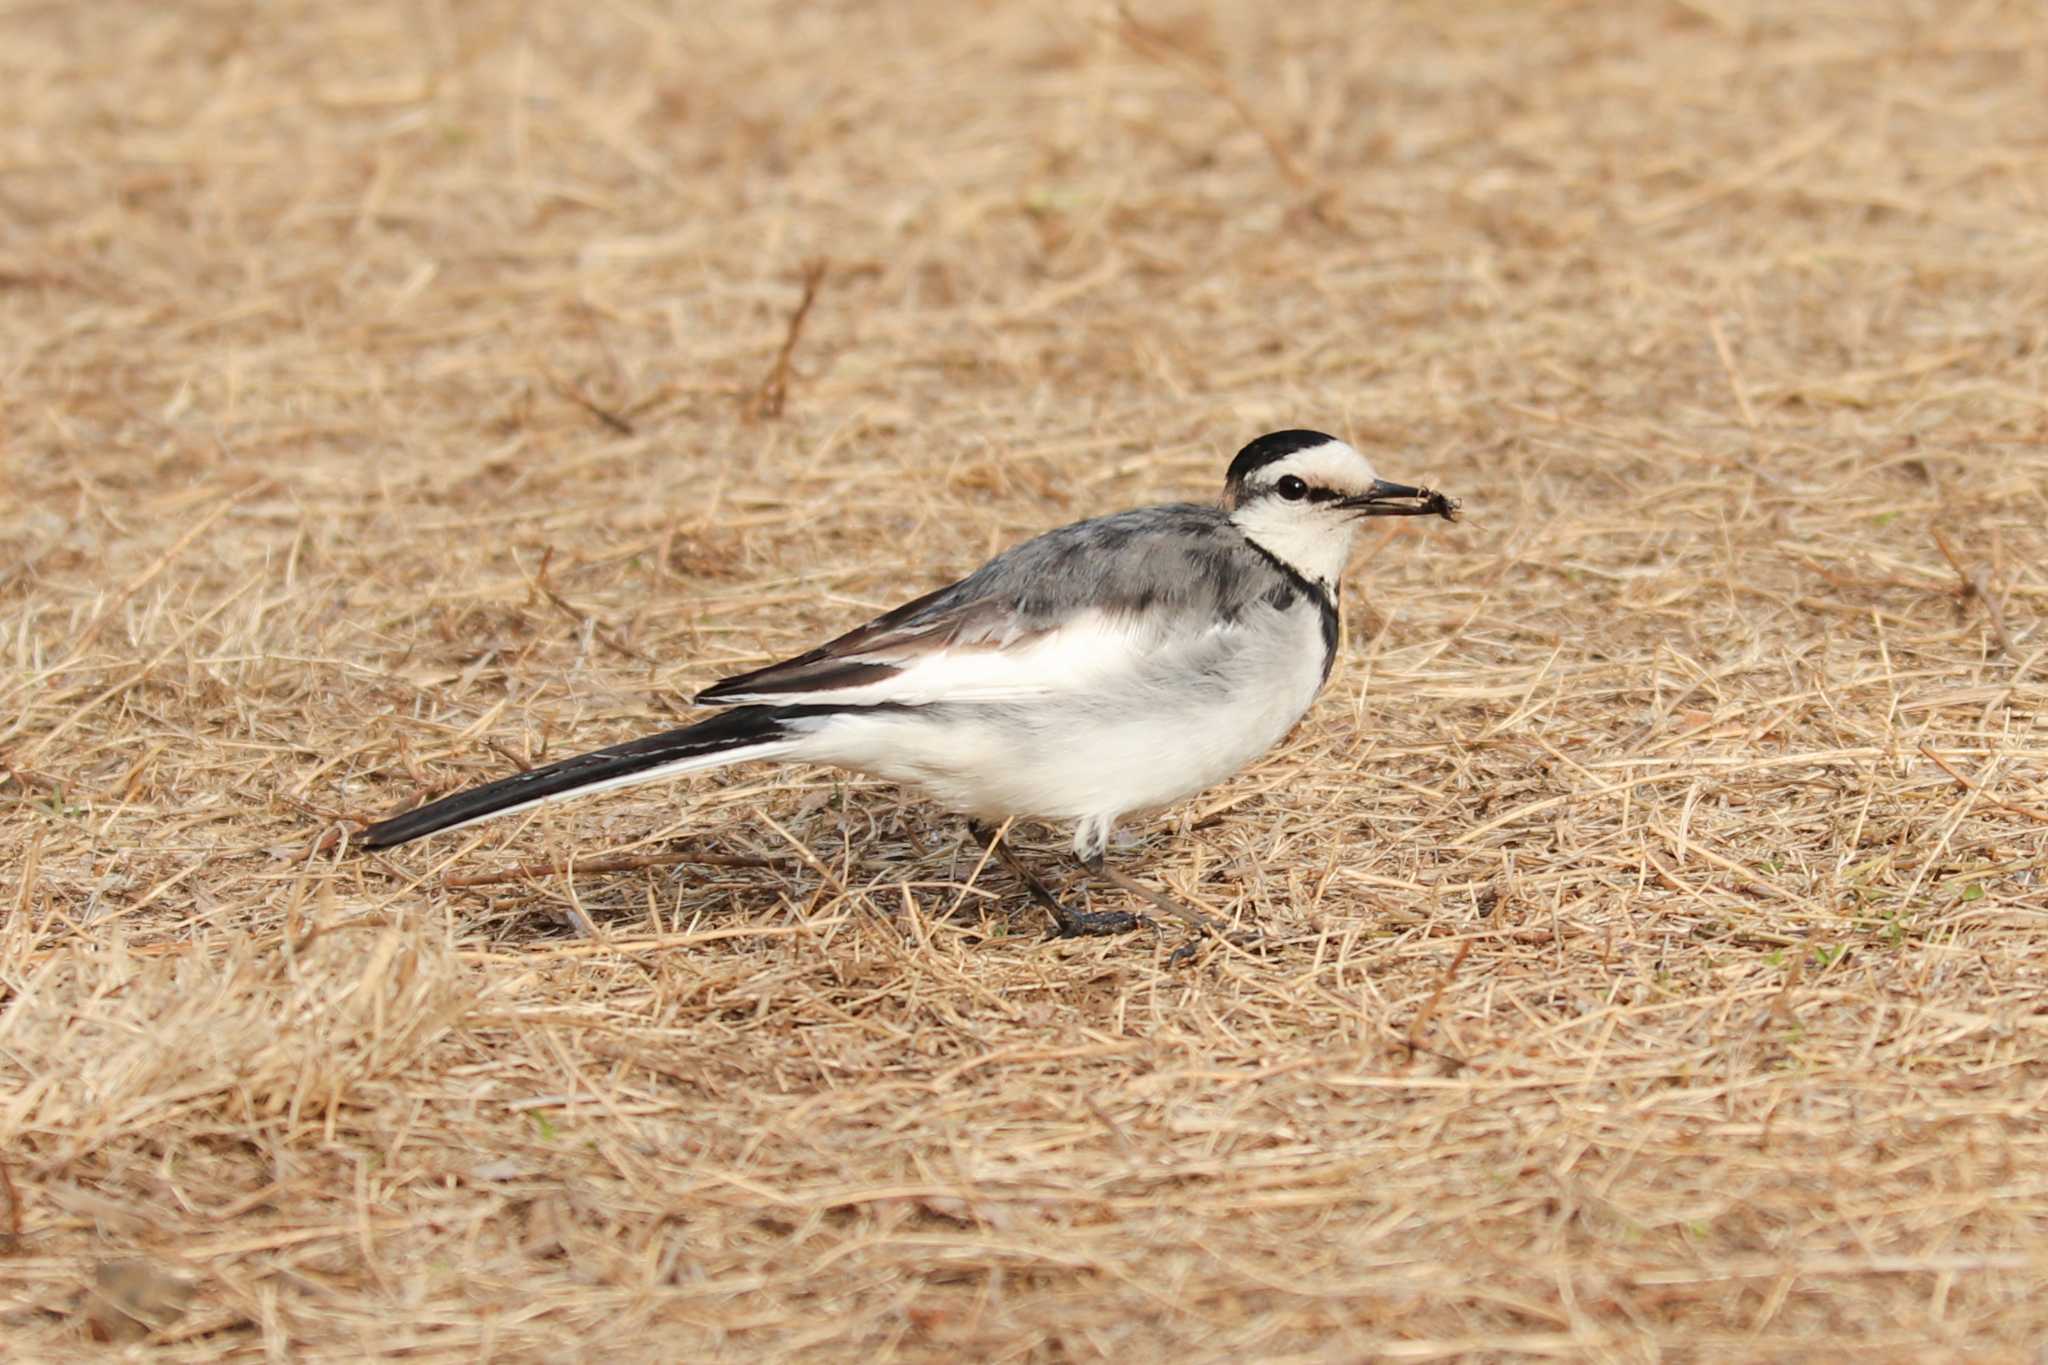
[1091,674]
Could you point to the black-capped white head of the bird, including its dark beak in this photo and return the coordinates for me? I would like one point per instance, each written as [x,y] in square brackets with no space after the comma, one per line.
[1302,496]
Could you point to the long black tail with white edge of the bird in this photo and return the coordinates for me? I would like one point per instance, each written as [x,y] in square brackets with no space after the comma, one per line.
[728,738]
